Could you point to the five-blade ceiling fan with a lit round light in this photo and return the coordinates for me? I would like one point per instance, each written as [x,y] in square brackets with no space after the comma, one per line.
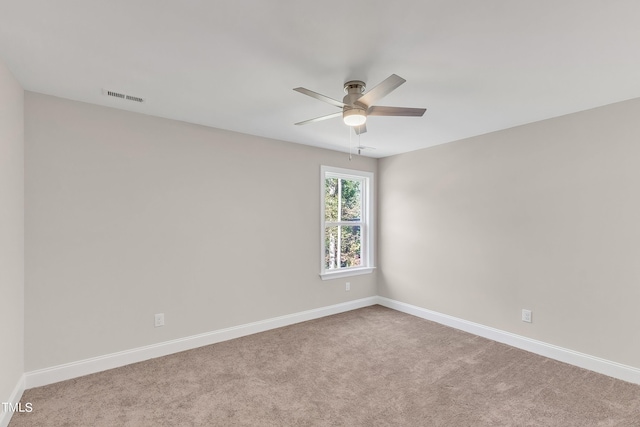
[357,106]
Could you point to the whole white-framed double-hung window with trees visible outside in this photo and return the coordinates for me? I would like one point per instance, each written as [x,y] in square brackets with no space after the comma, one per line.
[347,222]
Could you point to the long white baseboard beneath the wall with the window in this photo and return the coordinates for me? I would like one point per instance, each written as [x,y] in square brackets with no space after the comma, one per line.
[67,371]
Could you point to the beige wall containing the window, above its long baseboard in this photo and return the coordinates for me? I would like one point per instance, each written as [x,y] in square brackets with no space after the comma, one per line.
[130,215]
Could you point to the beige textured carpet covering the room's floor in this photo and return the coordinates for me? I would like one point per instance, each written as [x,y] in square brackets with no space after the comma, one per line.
[368,367]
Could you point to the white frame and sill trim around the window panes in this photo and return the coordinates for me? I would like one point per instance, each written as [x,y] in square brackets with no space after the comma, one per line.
[366,224]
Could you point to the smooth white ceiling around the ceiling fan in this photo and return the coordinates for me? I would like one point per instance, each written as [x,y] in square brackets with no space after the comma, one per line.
[477,66]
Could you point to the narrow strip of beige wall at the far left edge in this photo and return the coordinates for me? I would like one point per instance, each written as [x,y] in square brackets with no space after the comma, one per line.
[11,233]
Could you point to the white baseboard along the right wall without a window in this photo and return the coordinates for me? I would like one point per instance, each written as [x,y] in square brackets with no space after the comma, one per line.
[592,363]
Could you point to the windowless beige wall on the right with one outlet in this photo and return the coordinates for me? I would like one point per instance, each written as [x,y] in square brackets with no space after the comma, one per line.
[544,216]
